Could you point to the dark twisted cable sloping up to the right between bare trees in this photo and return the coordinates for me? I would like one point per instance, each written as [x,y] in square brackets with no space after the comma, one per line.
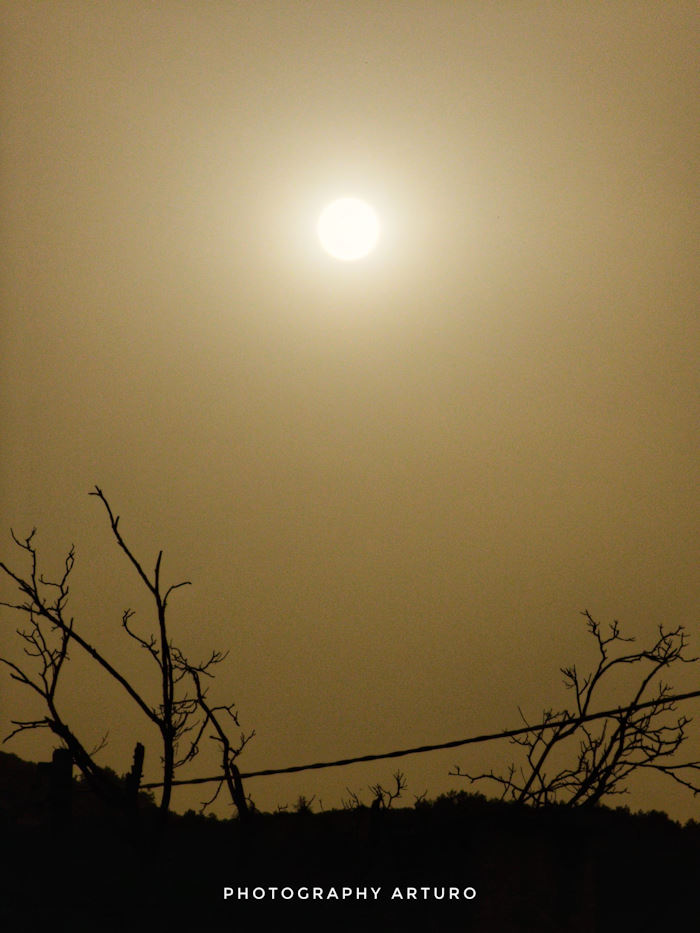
[399,753]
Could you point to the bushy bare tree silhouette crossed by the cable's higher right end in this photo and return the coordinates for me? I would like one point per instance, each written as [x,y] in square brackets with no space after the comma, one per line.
[577,760]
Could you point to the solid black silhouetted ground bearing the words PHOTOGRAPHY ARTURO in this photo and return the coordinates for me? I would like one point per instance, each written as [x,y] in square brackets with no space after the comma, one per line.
[510,869]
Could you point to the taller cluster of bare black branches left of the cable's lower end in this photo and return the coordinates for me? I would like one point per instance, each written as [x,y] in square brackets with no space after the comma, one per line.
[182,713]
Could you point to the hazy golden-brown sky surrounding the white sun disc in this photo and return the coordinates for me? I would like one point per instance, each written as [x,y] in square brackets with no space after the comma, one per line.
[394,483]
